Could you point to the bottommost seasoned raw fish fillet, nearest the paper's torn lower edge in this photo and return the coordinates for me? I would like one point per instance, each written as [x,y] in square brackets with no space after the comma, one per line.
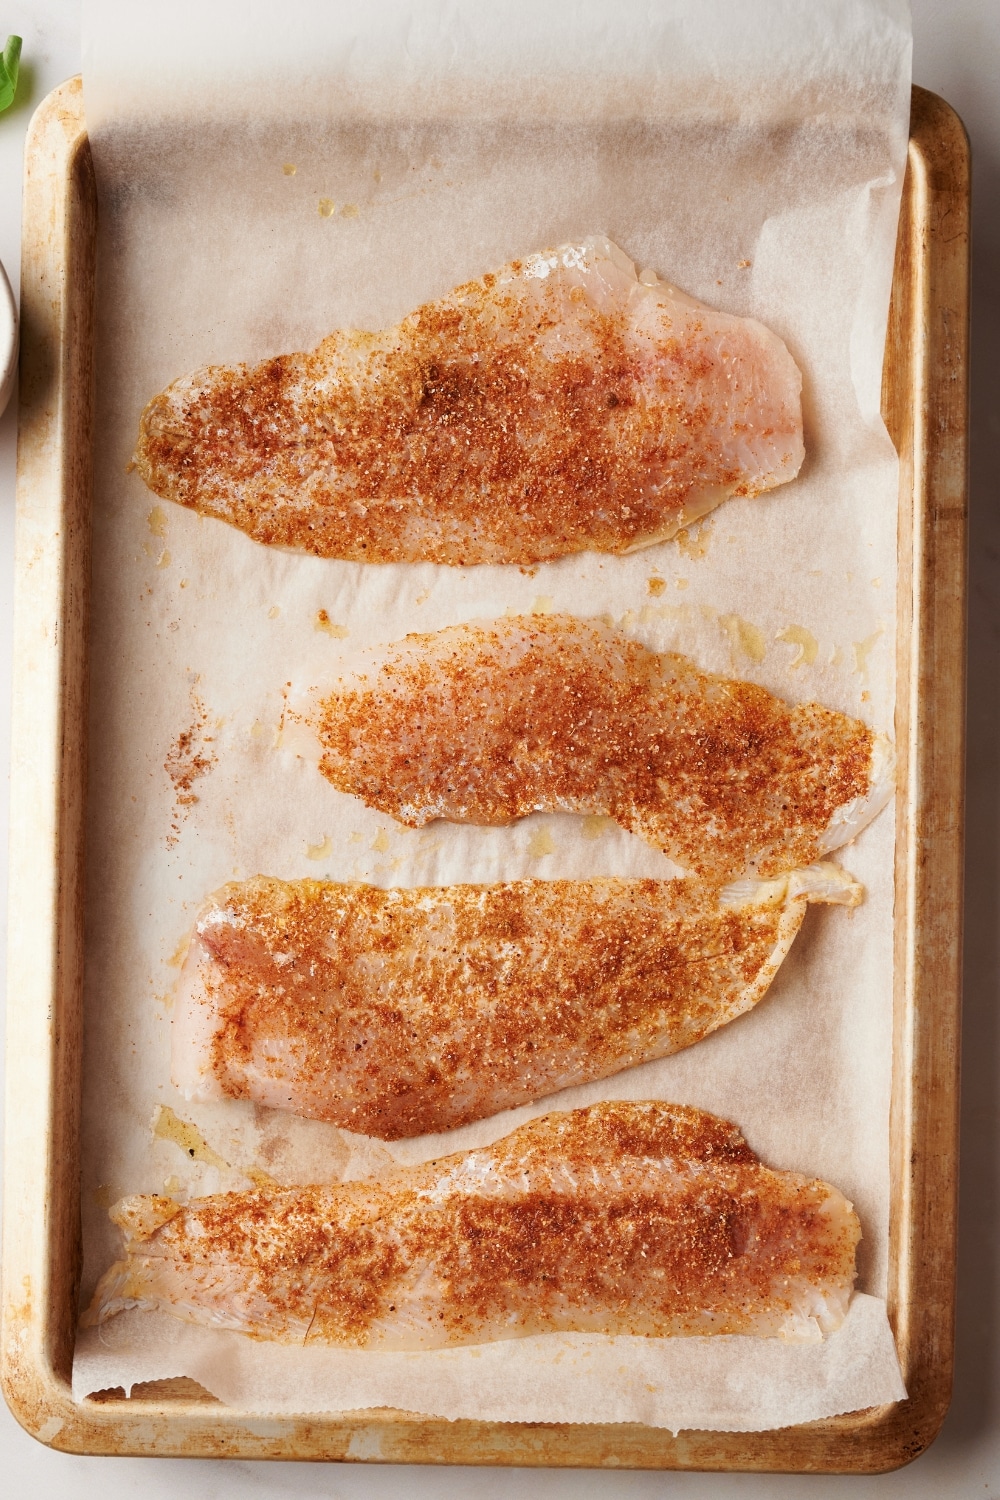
[621,1219]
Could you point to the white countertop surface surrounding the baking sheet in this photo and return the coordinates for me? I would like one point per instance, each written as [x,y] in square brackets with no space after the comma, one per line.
[957,55]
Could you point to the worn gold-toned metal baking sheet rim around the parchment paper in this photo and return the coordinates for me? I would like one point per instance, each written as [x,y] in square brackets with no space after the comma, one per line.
[924,401]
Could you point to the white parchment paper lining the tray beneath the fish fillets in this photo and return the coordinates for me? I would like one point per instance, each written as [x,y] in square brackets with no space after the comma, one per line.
[752,155]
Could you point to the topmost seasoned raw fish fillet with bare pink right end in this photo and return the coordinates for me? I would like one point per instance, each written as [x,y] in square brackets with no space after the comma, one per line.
[557,406]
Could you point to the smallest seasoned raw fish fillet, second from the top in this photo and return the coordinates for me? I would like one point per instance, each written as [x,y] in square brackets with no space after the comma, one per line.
[484,724]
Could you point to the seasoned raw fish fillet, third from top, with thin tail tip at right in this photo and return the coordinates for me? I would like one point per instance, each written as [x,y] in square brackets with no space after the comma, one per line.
[395,1013]
